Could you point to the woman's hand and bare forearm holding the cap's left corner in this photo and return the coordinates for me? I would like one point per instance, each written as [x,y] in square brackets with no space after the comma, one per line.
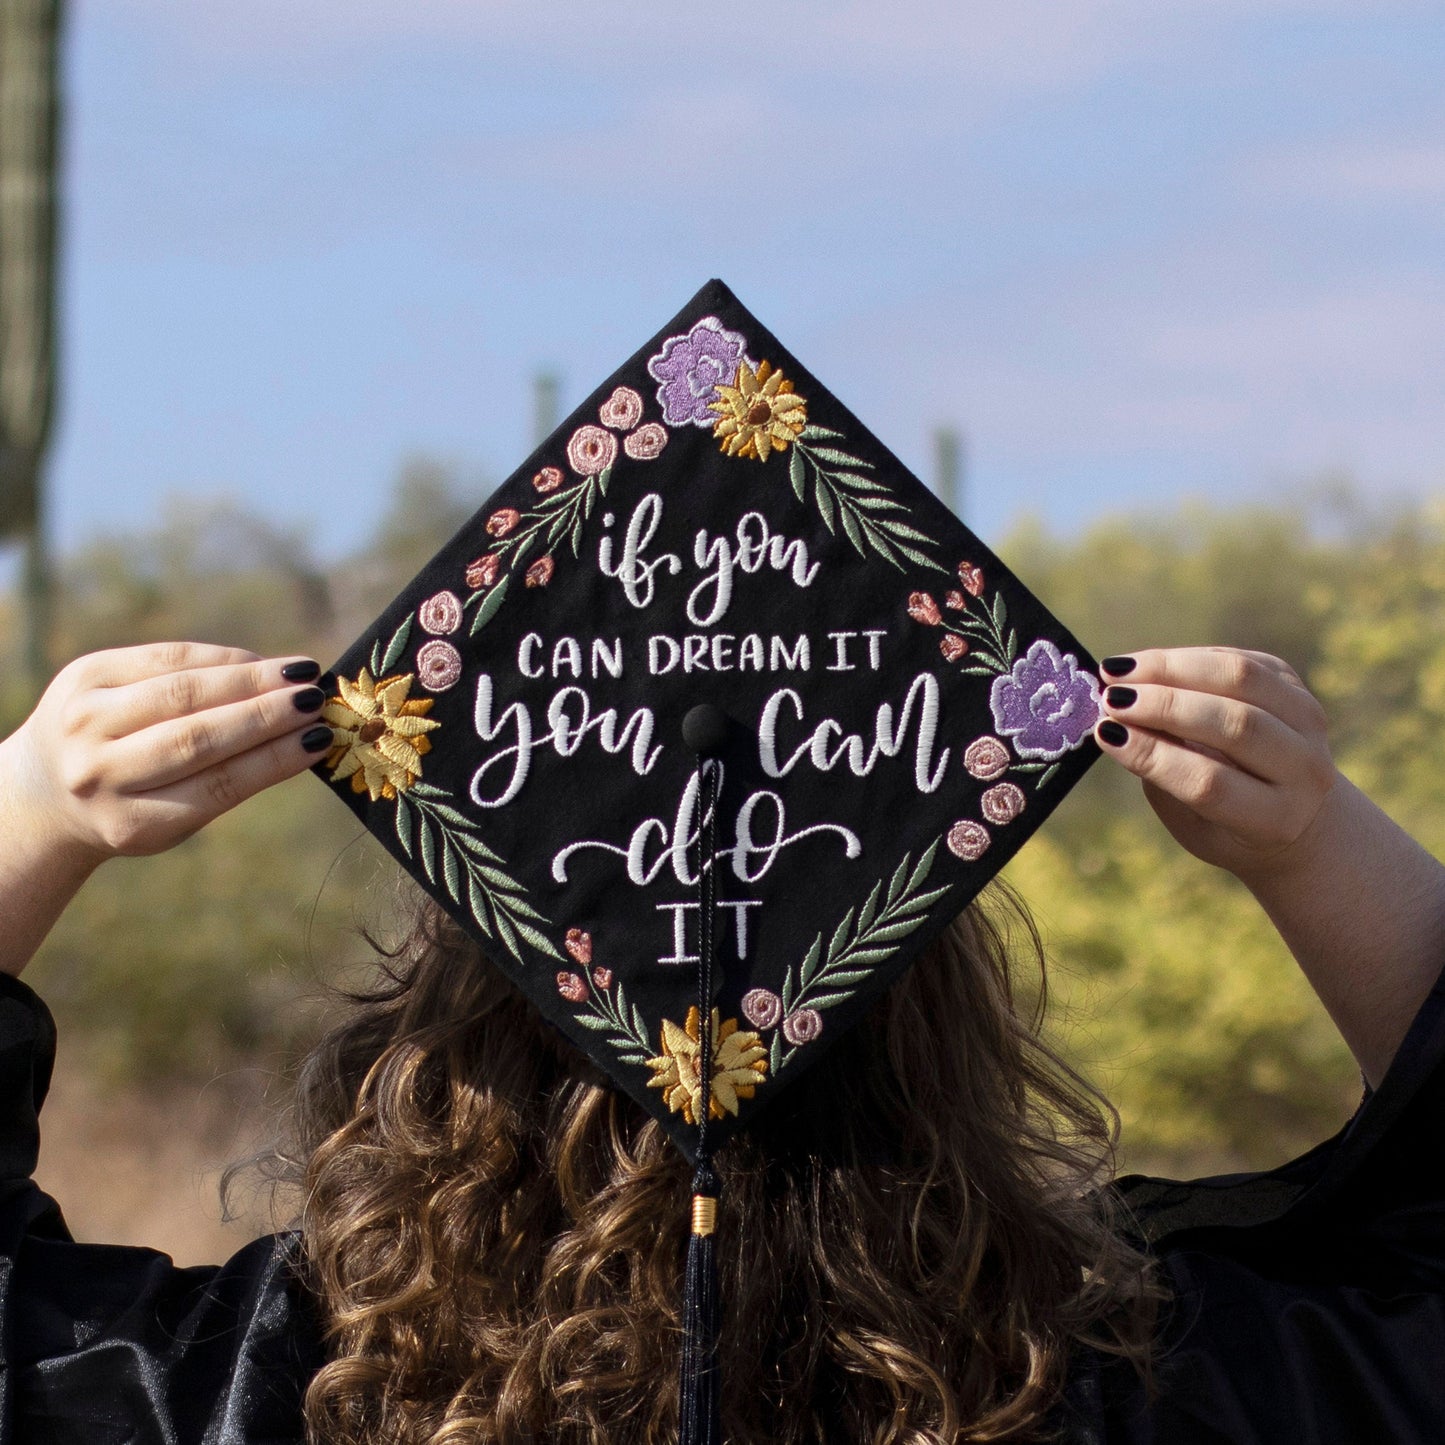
[132,751]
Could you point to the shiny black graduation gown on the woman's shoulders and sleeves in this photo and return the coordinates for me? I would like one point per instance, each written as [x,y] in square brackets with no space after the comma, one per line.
[1308,1303]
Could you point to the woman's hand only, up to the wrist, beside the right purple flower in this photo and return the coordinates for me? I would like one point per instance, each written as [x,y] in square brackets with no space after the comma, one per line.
[1232,749]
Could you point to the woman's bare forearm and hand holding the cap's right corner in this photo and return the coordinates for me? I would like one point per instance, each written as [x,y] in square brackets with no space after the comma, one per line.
[1233,756]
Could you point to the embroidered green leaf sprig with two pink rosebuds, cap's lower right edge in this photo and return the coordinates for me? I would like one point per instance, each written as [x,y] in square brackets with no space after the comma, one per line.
[865,939]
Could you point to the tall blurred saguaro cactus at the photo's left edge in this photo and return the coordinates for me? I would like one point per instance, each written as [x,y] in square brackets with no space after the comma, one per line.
[30,121]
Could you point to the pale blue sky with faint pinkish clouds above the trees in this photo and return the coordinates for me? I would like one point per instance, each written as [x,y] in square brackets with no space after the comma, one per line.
[1135,251]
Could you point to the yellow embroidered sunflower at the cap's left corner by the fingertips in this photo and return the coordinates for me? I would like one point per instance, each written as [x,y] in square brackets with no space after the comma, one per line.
[381,735]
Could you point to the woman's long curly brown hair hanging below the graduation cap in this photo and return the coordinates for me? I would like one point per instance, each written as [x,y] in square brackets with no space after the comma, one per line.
[911,1241]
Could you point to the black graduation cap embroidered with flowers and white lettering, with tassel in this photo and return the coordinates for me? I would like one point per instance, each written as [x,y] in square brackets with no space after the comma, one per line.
[706,725]
